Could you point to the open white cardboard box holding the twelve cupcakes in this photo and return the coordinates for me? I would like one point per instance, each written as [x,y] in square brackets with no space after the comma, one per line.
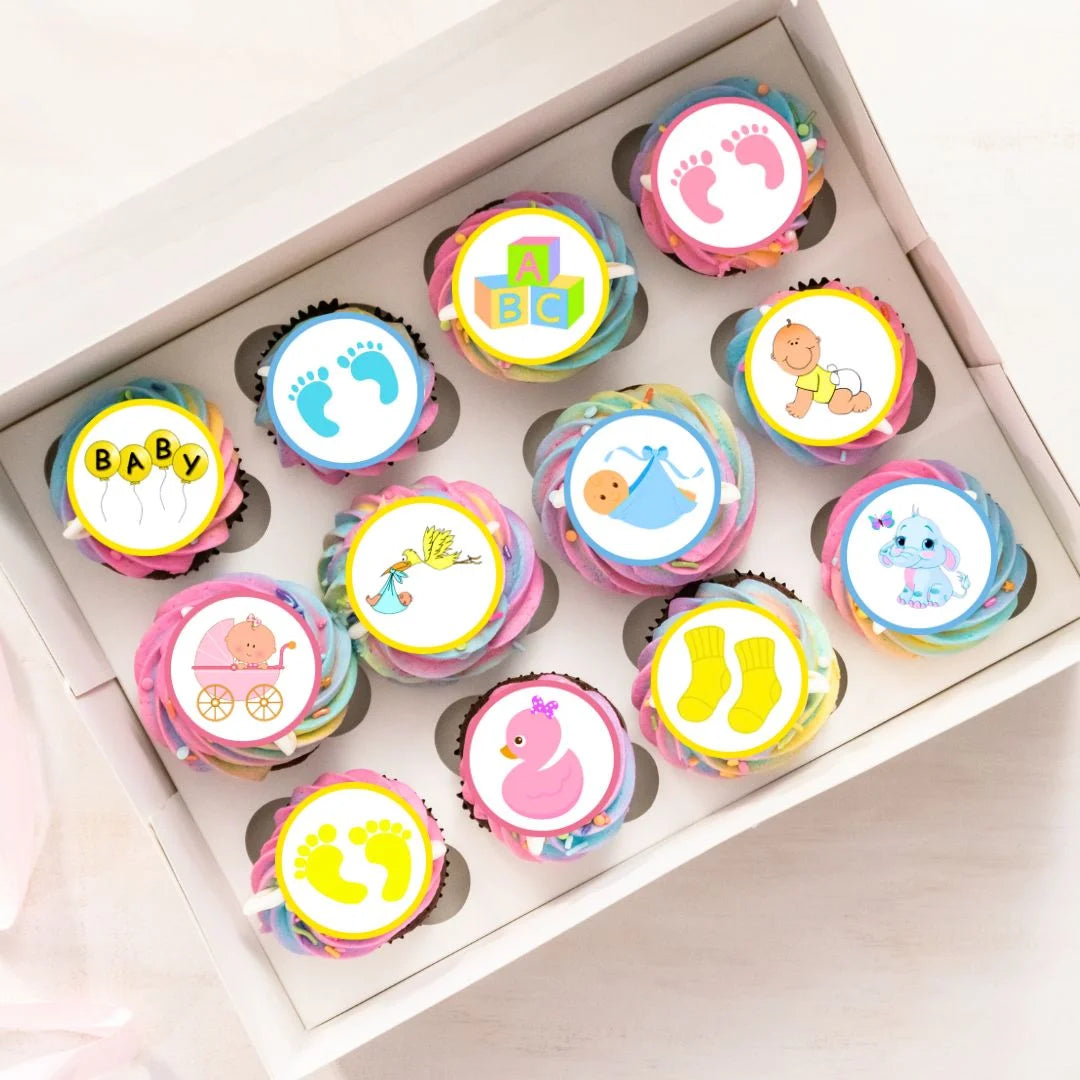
[174,280]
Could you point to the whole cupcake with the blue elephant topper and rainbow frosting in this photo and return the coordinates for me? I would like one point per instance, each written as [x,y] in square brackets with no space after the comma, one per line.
[922,560]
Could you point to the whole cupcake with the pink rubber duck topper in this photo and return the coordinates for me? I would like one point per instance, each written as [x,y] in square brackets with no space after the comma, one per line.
[547,766]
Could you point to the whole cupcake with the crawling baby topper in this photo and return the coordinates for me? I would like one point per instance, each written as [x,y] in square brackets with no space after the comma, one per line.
[826,372]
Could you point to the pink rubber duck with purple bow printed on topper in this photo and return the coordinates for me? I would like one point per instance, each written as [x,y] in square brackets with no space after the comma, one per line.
[541,788]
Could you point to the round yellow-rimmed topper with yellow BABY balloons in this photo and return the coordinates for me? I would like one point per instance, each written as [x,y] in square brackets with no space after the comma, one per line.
[145,478]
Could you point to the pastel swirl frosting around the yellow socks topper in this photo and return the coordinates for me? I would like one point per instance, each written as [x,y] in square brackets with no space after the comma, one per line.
[807,629]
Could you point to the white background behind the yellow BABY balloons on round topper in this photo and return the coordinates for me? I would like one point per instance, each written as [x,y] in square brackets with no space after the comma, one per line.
[161,512]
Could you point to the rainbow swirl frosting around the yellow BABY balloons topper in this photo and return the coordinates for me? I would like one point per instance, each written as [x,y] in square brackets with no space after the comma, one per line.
[194,555]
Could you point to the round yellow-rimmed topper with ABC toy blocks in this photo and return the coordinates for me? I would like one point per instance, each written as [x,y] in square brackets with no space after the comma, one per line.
[531,287]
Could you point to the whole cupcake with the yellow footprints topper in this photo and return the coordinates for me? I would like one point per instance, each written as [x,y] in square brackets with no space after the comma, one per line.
[356,861]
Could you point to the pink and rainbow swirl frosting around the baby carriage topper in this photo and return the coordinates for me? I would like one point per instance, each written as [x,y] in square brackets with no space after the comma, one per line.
[172,731]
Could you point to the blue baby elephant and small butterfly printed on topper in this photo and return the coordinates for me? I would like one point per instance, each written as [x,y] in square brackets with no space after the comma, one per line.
[930,563]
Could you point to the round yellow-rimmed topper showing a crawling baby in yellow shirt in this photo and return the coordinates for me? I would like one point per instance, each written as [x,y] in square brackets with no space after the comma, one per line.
[823,368]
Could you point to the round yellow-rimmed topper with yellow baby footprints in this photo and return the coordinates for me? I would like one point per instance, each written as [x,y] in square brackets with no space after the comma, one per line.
[355,861]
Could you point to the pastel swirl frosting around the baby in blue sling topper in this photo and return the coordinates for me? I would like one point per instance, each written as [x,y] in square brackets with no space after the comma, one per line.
[715,551]
